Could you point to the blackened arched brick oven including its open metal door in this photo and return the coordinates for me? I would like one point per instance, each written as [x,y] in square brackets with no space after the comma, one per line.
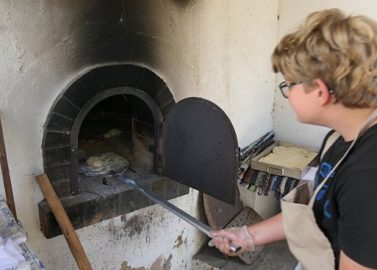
[128,113]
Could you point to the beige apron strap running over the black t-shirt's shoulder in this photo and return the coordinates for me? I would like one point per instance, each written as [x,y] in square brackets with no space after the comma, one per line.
[332,139]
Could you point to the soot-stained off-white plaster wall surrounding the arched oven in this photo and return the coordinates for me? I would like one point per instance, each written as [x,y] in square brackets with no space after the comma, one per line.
[218,50]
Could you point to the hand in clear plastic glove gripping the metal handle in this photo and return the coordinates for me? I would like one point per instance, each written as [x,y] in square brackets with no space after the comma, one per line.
[240,236]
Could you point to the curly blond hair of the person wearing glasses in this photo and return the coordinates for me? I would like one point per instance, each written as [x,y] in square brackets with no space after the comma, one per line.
[341,50]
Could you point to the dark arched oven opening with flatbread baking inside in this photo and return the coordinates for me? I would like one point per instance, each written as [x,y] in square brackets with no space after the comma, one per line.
[116,131]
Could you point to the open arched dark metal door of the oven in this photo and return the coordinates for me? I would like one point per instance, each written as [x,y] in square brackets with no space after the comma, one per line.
[200,148]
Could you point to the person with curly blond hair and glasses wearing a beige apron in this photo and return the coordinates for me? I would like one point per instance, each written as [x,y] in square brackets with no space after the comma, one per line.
[330,68]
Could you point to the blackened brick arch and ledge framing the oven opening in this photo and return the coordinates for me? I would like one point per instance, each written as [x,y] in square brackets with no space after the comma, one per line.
[85,208]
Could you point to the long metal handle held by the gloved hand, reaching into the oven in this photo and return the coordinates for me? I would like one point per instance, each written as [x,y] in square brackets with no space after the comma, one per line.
[172,208]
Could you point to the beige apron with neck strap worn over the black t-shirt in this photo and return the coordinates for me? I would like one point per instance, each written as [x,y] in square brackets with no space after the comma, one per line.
[305,239]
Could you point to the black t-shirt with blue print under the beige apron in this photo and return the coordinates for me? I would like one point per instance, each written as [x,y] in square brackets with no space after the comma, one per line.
[346,207]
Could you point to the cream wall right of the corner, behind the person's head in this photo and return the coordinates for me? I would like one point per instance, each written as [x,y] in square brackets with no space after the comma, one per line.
[291,13]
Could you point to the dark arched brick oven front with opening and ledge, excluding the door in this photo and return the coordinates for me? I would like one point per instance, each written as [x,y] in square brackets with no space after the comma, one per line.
[106,122]
